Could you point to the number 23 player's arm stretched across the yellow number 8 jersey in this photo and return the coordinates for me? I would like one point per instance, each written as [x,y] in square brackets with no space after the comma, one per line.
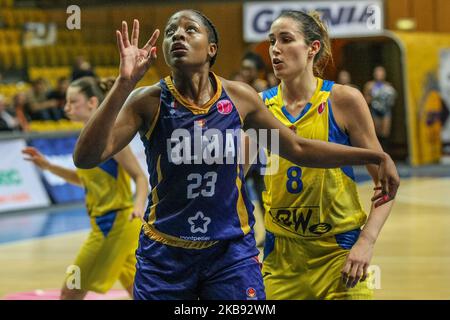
[311,153]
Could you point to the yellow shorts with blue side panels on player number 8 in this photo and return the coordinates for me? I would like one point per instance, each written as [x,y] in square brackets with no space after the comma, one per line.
[300,269]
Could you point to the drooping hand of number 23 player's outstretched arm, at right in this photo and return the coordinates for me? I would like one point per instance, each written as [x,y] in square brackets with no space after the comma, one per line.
[389,180]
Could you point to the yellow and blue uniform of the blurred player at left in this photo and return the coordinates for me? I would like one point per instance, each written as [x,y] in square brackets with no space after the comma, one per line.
[108,254]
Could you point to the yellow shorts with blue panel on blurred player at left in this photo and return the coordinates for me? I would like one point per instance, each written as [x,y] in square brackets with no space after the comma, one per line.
[108,254]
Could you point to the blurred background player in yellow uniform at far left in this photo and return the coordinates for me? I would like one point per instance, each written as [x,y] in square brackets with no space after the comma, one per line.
[108,254]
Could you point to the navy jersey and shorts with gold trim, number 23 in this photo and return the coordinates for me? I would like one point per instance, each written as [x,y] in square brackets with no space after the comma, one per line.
[198,240]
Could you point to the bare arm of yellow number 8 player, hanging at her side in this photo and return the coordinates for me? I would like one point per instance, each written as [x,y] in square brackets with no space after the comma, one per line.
[352,111]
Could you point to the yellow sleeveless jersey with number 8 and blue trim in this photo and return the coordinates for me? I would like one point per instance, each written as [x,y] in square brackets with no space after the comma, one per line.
[309,202]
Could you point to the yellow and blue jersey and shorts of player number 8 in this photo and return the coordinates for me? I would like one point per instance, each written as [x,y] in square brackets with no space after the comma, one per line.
[312,216]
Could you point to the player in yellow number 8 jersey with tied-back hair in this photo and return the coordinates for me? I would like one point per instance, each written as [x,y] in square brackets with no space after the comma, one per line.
[315,248]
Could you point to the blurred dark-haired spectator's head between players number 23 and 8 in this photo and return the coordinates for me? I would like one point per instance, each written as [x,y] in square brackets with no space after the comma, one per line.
[251,67]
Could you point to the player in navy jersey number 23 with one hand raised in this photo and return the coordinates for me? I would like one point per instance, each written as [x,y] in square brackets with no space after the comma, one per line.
[197,242]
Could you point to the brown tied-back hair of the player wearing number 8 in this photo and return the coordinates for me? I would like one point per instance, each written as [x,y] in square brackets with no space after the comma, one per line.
[313,28]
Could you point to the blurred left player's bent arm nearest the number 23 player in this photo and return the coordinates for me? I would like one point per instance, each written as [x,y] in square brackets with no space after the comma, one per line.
[129,162]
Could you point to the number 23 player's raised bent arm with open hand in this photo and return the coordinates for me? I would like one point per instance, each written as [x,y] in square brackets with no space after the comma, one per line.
[120,115]
